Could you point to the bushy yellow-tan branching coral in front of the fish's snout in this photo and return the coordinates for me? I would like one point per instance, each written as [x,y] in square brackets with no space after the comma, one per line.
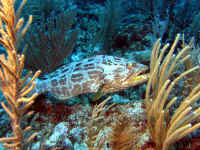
[165,129]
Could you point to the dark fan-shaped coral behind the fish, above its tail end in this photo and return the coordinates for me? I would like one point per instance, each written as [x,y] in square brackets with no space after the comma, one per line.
[50,43]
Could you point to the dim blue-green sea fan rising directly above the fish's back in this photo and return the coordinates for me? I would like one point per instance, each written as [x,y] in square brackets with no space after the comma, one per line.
[110,21]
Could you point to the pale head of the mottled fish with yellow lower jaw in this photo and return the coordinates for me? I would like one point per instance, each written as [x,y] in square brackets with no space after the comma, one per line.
[125,75]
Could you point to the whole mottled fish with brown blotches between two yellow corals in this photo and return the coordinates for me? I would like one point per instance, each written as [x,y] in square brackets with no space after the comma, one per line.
[87,76]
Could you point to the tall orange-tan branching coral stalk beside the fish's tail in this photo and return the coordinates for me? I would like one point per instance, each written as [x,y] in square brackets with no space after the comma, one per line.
[14,87]
